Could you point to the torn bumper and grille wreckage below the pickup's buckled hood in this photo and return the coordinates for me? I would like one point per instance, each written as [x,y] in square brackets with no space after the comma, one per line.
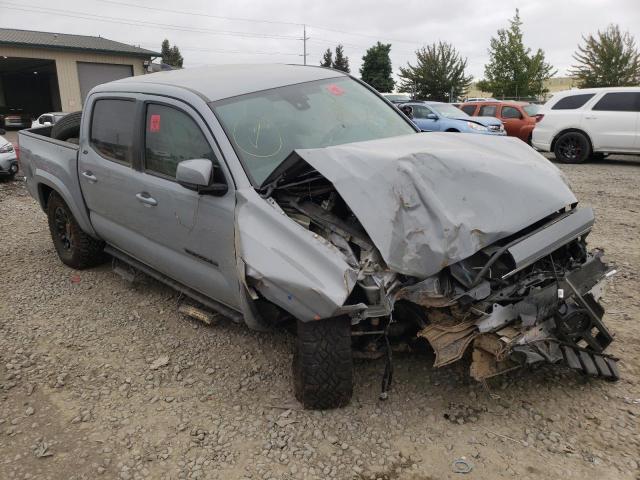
[529,299]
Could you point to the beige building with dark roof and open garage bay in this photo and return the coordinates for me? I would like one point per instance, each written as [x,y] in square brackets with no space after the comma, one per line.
[45,72]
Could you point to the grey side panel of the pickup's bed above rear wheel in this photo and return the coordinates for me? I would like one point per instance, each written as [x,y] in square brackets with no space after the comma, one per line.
[52,165]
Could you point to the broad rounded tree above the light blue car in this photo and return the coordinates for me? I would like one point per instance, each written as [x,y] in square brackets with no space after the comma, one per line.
[439,73]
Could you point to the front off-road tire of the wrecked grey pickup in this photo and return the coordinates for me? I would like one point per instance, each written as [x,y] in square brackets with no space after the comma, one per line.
[323,363]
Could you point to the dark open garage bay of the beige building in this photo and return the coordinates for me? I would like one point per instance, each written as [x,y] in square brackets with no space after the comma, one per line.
[28,86]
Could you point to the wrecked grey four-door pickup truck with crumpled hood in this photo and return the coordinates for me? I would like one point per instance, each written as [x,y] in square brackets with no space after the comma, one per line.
[282,194]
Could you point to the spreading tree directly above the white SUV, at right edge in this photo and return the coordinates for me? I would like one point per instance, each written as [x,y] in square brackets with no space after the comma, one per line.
[610,59]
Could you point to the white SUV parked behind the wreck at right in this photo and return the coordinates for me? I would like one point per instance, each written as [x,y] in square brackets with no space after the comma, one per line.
[579,124]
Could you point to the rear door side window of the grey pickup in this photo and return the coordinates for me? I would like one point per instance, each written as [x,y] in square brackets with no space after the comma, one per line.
[112,129]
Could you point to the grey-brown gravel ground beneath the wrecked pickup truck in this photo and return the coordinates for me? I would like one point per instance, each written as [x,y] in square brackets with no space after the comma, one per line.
[103,379]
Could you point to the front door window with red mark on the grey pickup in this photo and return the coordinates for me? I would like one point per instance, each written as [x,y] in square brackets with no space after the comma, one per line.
[172,136]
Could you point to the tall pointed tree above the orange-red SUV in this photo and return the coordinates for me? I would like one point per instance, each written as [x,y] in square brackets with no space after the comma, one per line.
[512,70]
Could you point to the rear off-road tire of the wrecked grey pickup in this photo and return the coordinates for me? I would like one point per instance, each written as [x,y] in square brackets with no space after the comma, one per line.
[78,250]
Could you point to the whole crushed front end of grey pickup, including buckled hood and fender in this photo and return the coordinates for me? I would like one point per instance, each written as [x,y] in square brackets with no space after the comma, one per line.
[478,249]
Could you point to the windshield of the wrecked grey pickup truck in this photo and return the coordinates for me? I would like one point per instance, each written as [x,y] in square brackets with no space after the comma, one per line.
[265,127]
